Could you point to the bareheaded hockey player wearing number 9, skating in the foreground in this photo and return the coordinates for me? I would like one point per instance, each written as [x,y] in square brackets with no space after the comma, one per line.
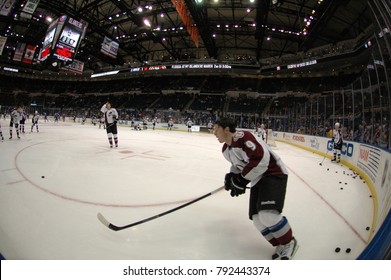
[253,161]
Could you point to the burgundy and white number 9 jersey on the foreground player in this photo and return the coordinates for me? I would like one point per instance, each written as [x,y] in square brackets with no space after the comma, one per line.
[252,157]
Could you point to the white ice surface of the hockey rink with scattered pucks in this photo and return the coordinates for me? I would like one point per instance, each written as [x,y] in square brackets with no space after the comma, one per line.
[55,217]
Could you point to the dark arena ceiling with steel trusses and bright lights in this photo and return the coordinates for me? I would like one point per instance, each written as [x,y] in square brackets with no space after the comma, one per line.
[228,29]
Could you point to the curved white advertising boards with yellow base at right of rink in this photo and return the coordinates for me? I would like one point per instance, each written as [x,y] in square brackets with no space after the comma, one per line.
[371,164]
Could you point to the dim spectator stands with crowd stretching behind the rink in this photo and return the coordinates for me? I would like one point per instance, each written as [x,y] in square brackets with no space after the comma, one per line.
[362,119]
